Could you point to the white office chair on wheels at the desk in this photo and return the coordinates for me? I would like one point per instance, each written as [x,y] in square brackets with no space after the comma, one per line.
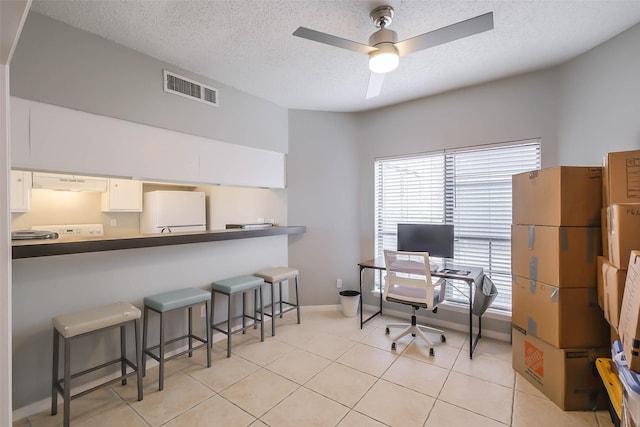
[408,281]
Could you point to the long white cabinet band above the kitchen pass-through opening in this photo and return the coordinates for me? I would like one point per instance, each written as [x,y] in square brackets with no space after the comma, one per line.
[62,139]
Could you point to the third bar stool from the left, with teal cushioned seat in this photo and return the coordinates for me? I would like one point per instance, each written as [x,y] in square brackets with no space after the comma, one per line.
[231,287]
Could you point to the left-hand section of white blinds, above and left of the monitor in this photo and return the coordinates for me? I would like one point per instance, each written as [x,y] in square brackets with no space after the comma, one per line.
[409,190]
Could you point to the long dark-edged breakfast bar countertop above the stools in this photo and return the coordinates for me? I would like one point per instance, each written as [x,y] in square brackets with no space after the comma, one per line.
[65,246]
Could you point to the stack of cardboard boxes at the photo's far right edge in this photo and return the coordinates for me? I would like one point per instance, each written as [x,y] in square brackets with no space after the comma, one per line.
[621,226]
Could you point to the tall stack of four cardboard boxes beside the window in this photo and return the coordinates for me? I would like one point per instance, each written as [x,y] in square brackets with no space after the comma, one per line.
[558,327]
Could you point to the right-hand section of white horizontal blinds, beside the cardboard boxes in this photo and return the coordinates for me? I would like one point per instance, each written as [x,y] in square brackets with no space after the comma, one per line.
[480,208]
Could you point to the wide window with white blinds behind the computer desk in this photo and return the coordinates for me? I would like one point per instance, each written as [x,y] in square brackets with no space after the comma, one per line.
[469,188]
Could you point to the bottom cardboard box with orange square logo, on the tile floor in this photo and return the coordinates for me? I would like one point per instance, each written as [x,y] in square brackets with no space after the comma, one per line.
[566,376]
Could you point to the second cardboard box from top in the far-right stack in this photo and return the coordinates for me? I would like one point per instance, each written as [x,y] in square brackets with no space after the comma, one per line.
[623,222]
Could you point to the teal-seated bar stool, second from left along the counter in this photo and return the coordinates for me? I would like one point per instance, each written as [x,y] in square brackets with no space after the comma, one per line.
[171,301]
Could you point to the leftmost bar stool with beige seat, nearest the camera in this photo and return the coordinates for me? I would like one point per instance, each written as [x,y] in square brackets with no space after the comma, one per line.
[80,324]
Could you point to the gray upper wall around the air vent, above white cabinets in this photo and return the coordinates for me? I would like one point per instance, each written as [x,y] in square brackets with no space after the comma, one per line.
[58,64]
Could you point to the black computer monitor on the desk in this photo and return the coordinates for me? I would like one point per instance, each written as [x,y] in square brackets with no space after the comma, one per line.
[437,239]
